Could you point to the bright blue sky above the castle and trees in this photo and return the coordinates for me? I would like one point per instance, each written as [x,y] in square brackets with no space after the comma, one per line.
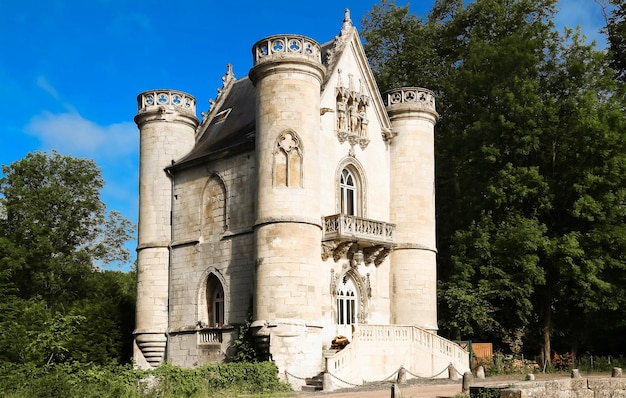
[70,70]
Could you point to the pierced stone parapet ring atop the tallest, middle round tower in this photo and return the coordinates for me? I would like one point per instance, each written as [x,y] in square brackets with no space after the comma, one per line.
[294,47]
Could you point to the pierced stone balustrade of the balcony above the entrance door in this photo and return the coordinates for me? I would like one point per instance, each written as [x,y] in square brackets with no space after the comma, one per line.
[353,227]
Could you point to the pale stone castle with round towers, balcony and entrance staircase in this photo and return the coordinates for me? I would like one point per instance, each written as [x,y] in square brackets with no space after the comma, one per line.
[304,198]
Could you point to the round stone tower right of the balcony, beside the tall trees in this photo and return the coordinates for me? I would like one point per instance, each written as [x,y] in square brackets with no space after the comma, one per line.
[413,262]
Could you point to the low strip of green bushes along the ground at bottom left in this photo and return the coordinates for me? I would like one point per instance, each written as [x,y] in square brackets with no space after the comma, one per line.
[94,381]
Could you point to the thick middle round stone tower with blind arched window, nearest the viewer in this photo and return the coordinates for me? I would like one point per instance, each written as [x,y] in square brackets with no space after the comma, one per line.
[287,72]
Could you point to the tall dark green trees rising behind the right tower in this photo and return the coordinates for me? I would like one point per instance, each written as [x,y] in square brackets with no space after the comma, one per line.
[530,157]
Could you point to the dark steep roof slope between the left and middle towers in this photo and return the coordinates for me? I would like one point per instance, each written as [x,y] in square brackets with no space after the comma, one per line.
[225,134]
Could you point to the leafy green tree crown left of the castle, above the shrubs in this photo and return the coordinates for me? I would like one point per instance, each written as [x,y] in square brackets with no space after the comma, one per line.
[56,228]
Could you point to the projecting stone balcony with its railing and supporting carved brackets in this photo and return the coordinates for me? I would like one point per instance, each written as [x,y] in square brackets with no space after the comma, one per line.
[356,238]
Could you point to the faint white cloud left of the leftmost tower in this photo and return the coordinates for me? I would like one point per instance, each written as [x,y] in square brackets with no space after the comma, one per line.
[70,133]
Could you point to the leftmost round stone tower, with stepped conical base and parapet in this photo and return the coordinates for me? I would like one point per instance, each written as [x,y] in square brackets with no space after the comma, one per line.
[167,124]
